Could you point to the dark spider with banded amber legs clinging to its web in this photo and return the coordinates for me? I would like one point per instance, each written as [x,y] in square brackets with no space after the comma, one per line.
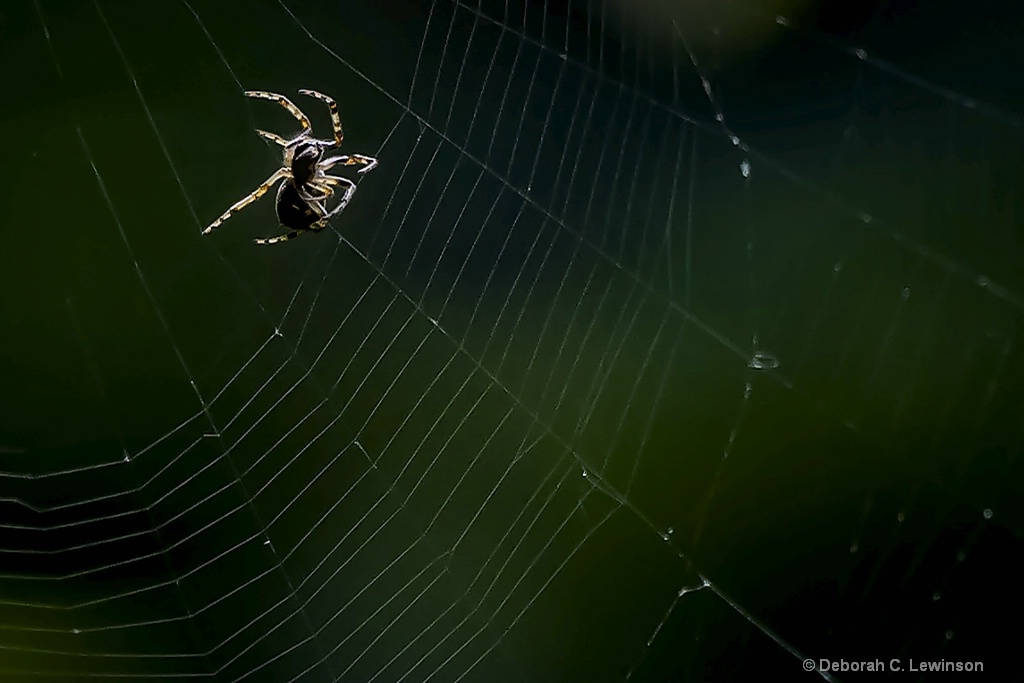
[302,205]
